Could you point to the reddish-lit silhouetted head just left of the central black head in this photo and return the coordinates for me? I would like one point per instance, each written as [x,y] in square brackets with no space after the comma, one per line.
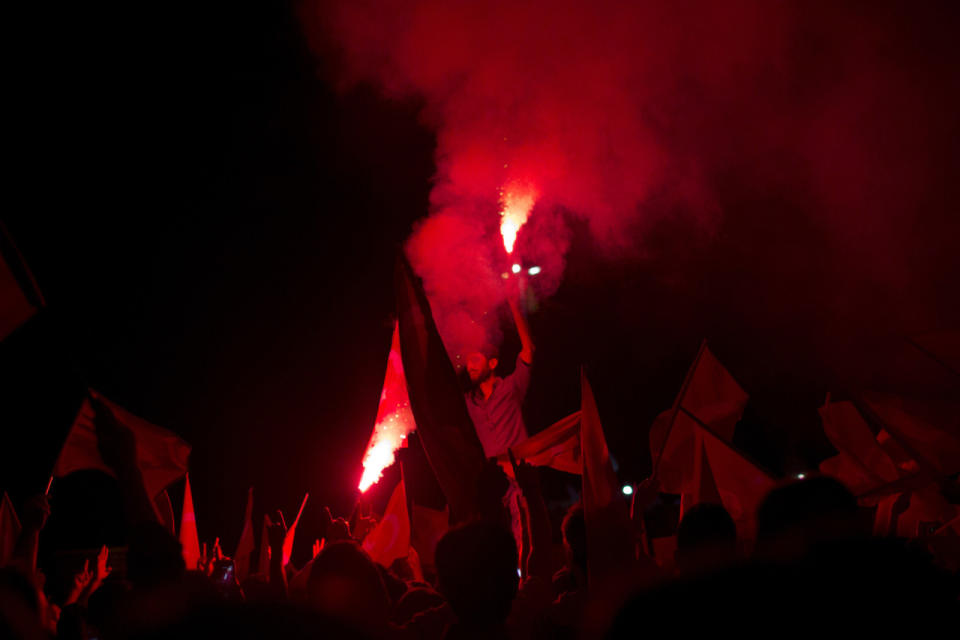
[345,584]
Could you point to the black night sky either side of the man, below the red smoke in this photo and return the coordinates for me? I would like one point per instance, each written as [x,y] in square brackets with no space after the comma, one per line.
[214,229]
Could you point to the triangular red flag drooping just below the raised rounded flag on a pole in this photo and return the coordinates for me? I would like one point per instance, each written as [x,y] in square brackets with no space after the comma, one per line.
[742,485]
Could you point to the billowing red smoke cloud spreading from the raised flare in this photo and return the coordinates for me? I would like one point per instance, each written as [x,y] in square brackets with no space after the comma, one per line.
[628,114]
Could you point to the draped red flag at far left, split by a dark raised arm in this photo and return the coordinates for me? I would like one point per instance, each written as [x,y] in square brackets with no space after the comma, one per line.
[161,454]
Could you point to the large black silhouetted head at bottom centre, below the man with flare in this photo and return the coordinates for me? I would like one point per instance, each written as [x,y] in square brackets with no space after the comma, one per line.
[477,571]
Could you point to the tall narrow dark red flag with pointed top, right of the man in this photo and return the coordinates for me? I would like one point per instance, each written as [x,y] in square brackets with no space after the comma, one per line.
[610,547]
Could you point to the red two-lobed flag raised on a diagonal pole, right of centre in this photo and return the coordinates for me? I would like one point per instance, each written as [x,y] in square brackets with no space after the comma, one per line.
[712,394]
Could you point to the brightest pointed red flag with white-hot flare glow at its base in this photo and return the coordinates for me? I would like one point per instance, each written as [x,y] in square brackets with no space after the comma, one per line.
[394,419]
